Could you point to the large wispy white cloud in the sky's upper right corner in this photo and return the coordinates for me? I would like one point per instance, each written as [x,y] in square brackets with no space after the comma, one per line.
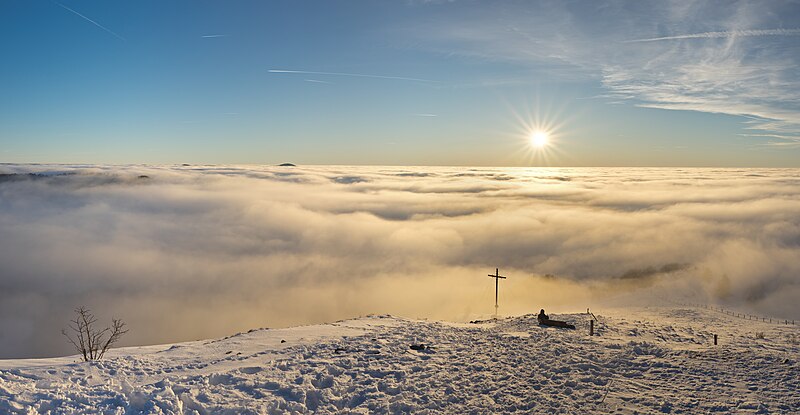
[740,70]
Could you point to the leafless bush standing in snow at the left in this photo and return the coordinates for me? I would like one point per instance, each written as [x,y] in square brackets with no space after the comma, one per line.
[90,342]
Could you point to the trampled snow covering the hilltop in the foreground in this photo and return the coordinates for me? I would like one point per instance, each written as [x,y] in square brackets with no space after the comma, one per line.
[643,360]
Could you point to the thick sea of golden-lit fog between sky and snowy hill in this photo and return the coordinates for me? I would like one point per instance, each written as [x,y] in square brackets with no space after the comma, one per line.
[203,251]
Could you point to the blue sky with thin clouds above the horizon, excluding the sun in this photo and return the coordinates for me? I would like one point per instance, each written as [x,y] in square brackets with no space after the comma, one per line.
[448,83]
